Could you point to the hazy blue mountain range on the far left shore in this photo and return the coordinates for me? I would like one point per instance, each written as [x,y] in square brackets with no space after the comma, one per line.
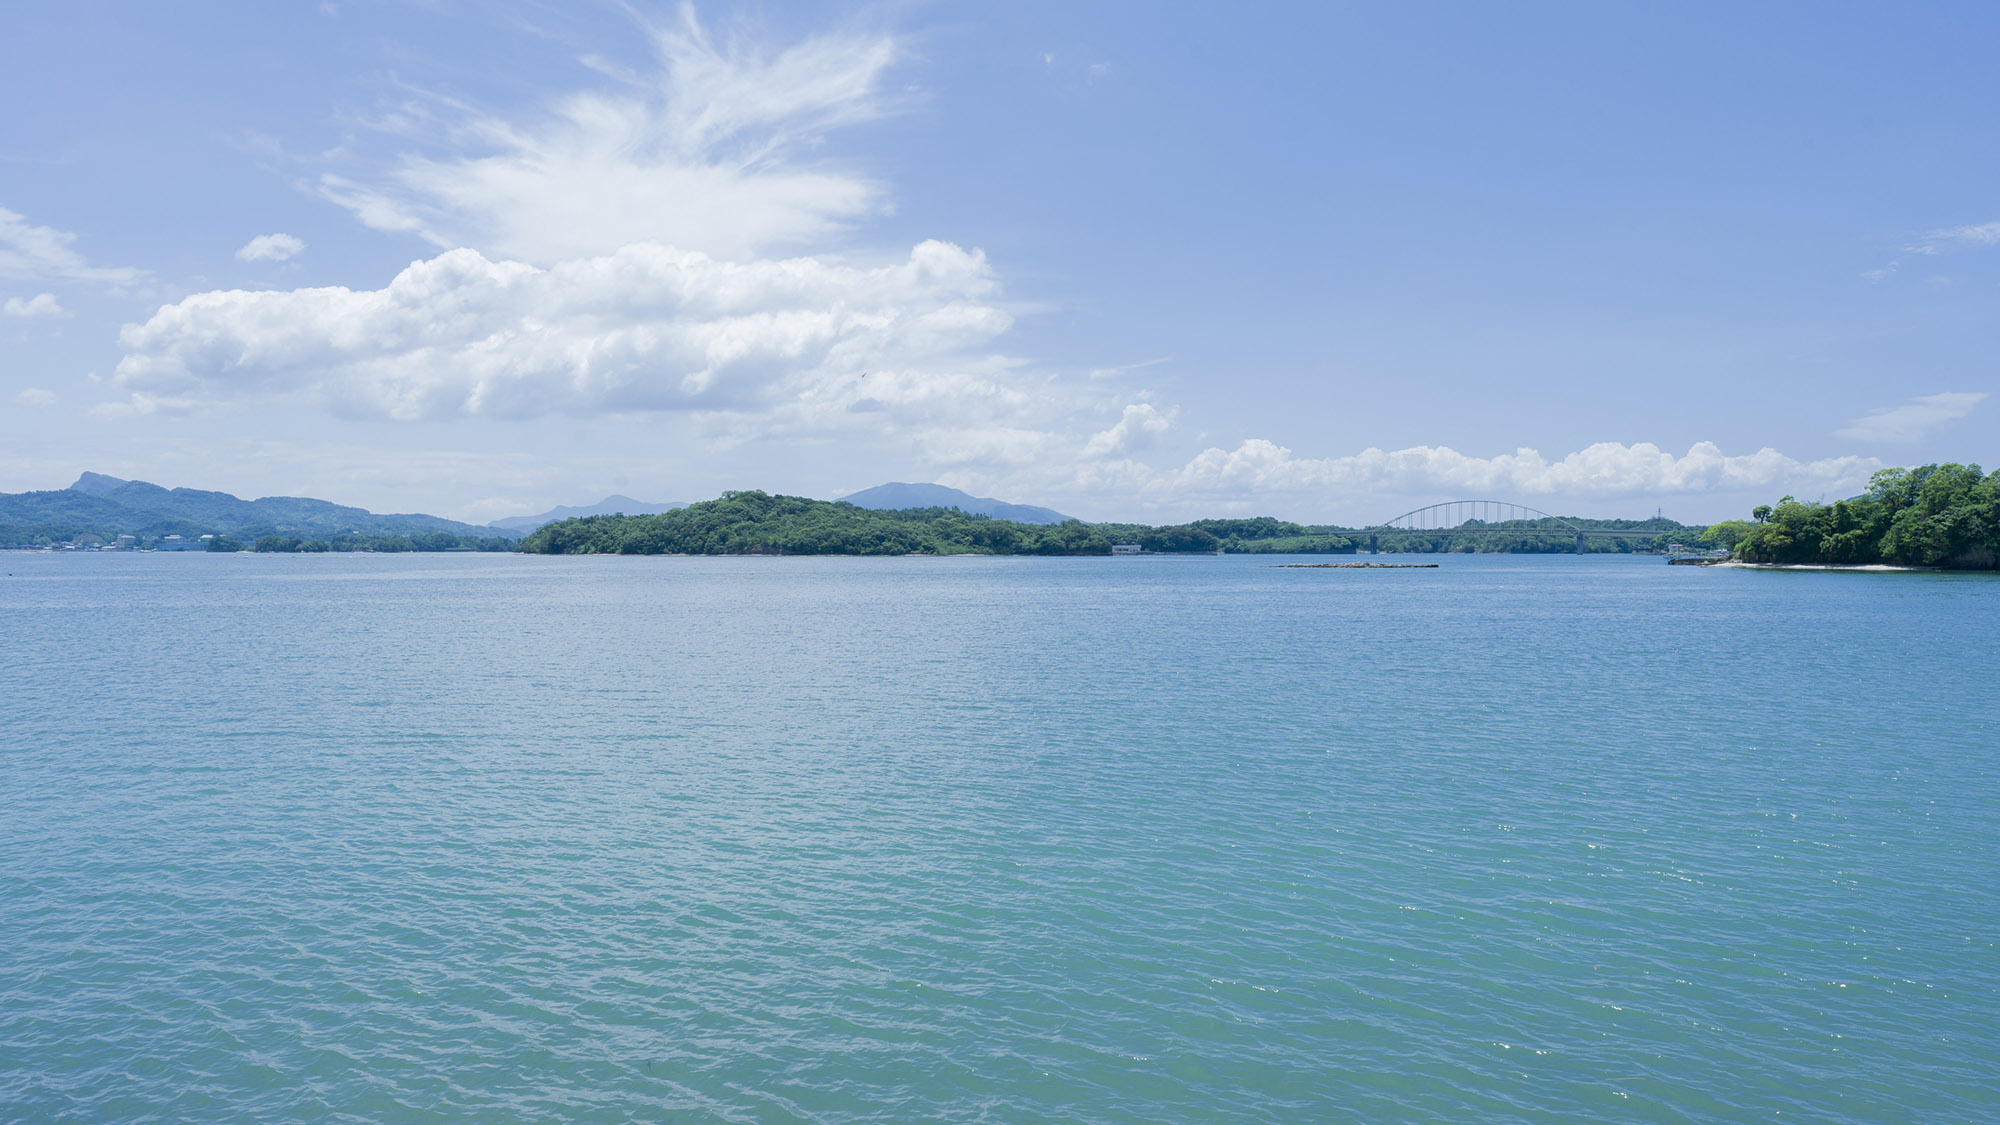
[109,507]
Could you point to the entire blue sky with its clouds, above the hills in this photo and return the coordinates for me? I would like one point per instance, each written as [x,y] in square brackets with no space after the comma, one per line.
[1131,261]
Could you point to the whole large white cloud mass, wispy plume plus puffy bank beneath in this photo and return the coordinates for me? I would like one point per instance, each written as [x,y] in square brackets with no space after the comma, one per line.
[611,257]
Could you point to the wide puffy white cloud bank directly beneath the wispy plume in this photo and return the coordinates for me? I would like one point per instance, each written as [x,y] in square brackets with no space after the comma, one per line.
[645,329]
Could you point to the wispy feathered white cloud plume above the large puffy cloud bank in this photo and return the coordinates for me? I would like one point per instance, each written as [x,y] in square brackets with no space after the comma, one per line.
[703,155]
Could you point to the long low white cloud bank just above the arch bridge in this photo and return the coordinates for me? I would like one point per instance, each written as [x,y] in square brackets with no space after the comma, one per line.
[1601,471]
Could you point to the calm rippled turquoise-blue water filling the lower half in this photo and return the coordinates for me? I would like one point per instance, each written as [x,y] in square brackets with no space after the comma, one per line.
[1005,840]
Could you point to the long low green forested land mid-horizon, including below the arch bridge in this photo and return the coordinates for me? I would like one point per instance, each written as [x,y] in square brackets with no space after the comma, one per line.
[761,523]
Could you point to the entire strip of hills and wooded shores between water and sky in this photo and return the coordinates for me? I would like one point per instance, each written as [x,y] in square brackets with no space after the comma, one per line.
[1927,517]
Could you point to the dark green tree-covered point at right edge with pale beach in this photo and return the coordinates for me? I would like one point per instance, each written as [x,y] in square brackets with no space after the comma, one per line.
[1935,515]
